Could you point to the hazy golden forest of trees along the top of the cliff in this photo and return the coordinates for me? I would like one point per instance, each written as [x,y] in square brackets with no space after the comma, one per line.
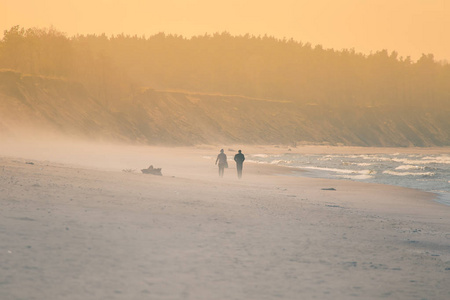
[115,67]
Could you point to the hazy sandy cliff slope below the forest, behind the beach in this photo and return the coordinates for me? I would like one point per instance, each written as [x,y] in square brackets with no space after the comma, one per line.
[183,118]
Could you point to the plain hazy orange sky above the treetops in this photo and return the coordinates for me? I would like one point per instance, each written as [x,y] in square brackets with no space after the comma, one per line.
[411,27]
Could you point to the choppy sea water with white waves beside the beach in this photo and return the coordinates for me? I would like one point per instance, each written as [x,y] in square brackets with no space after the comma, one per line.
[429,173]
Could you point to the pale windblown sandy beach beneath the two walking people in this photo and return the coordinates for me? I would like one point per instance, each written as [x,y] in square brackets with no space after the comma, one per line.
[80,223]
